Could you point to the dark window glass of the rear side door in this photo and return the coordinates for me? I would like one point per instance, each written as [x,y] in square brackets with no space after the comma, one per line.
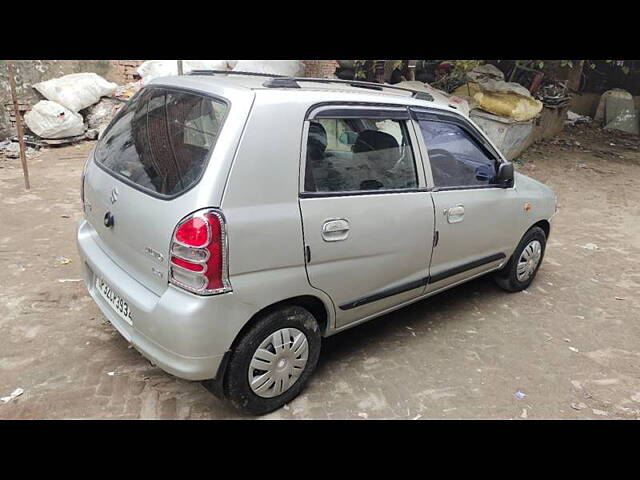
[359,154]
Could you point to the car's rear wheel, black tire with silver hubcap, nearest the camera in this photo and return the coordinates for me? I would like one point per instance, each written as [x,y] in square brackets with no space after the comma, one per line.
[284,322]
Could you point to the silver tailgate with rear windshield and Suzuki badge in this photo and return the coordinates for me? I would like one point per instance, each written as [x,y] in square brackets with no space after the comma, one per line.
[141,177]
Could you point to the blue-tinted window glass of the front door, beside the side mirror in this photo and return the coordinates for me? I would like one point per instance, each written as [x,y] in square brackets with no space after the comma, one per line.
[455,157]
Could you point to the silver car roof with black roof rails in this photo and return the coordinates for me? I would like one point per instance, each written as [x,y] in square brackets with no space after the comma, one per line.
[323,89]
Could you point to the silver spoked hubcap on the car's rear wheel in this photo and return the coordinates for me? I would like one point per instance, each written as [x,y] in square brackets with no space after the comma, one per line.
[278,362]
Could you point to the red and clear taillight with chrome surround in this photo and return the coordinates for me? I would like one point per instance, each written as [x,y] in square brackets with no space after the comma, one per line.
[199,254]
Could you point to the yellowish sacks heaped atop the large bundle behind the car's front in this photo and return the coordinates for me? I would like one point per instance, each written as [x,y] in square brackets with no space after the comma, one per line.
[487,90]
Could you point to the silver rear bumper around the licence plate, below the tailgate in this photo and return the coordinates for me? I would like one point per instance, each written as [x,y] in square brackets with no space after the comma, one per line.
[181,333]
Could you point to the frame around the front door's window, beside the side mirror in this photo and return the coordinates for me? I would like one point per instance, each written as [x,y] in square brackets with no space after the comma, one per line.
[432,114]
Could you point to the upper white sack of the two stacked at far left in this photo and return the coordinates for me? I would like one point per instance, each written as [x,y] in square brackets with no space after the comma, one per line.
[77,90]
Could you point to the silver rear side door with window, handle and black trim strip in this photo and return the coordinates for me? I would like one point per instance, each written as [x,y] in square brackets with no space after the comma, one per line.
[367,215]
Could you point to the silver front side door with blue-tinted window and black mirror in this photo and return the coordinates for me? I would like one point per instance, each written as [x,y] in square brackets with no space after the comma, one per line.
[470,207]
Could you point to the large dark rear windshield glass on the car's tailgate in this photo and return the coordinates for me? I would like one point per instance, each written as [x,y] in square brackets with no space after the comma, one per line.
[161,140]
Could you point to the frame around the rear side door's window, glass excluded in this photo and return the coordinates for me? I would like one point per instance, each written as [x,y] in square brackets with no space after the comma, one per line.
[357,110]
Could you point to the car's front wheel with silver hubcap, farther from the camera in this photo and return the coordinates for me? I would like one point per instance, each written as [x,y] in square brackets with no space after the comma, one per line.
[521,269]
